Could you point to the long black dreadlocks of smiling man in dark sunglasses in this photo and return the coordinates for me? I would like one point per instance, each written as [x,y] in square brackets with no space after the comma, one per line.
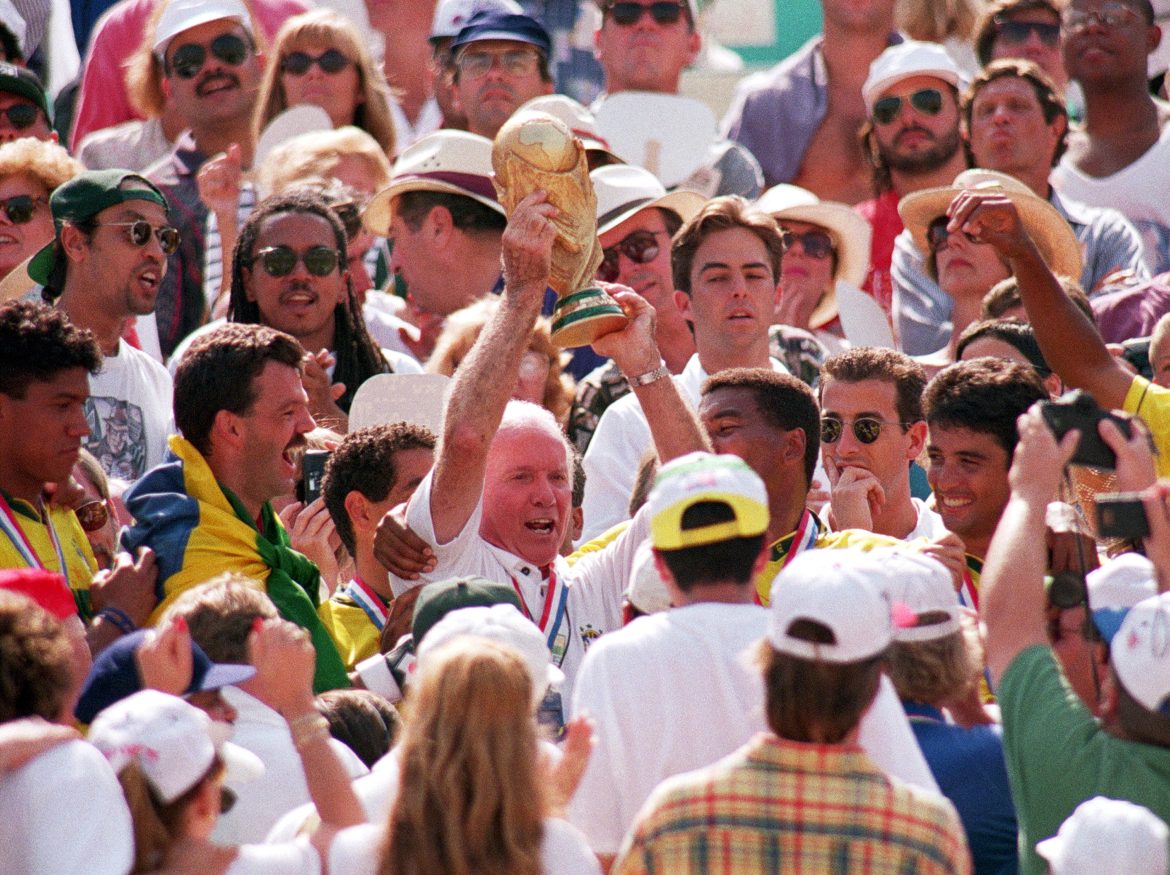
[357,355]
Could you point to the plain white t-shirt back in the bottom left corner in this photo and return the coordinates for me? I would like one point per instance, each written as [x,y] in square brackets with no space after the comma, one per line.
[64,814]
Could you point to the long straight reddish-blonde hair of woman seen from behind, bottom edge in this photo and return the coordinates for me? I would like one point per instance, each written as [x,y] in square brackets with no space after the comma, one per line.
[472,797]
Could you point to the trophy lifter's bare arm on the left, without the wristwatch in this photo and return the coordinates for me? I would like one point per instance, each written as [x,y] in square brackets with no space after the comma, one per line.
[485,380]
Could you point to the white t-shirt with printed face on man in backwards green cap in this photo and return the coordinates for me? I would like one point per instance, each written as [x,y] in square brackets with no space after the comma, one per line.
[129,414]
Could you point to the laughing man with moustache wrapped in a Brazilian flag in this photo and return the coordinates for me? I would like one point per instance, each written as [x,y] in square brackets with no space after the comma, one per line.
[244,412]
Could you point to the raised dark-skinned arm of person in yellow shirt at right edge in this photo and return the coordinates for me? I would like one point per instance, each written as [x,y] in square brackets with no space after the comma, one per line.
[1070,342]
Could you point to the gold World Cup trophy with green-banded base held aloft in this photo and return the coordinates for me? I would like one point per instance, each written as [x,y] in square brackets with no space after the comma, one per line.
[535,150]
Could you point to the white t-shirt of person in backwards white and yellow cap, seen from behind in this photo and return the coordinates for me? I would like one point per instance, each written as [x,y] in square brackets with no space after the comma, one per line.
[678,691]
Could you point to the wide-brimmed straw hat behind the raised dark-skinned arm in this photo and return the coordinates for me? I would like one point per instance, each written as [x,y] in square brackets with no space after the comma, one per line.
[1052,235]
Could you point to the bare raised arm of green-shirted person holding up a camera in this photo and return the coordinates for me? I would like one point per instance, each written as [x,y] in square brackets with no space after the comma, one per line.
[1013,602]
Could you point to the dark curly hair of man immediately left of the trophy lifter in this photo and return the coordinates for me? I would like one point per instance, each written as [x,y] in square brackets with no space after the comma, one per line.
[366,463]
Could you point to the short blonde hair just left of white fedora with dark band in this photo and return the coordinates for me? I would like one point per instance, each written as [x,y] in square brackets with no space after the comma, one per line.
[316,155]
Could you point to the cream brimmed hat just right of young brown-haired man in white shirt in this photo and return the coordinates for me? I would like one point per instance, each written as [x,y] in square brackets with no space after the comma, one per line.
[850,232]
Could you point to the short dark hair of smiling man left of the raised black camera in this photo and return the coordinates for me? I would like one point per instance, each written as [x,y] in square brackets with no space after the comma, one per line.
[985,396]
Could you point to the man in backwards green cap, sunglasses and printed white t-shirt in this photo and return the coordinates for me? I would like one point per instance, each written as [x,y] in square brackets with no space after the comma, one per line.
[104,268]
